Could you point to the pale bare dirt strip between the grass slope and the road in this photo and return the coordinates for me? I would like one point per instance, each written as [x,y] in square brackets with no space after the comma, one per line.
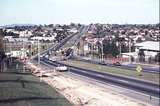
[82,93]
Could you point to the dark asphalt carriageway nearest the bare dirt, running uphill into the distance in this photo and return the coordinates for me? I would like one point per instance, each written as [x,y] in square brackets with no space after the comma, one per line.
[126,82]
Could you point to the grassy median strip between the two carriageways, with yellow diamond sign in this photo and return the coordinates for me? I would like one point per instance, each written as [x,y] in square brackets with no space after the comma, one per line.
[125,72]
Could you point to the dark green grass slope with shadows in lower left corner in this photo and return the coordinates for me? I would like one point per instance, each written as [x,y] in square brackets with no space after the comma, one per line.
[21,88]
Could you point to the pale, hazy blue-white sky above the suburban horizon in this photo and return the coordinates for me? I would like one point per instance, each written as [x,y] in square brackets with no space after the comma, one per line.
[79,11]
